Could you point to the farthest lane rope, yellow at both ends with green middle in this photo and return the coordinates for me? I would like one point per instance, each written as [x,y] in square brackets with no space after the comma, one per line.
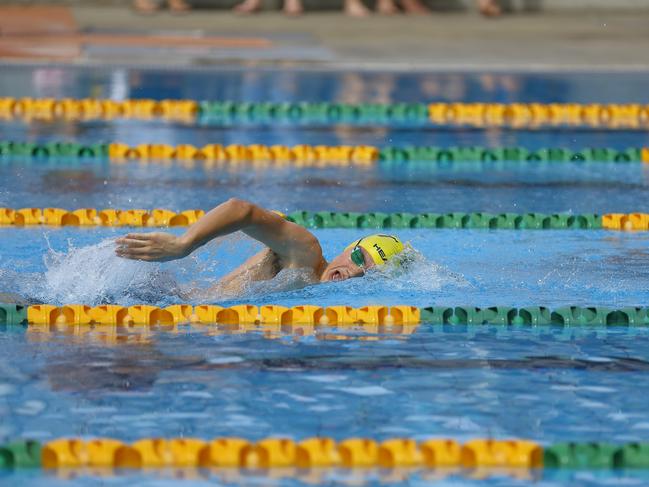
[478,115]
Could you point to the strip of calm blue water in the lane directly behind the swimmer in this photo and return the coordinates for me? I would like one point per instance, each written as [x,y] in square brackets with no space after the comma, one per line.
[550,188]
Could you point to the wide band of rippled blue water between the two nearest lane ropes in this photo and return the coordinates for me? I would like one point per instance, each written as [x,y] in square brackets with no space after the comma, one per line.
[549,384]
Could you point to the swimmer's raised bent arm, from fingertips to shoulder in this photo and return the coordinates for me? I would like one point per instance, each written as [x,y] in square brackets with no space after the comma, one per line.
[296,246]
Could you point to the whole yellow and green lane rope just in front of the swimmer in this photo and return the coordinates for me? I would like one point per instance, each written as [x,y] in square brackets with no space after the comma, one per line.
[311,315]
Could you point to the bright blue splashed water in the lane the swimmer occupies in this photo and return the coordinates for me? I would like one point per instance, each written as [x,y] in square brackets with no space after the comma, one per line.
[453,267]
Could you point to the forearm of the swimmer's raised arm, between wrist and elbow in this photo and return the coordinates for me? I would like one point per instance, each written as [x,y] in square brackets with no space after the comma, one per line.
[228,217]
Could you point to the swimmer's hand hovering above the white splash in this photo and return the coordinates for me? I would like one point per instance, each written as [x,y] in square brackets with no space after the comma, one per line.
[153,247]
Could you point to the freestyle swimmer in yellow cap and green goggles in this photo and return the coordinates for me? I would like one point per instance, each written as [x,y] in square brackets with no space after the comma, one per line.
[288,246]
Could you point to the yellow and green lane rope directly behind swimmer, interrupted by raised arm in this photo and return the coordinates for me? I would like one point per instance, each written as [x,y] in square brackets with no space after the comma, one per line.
[159,217]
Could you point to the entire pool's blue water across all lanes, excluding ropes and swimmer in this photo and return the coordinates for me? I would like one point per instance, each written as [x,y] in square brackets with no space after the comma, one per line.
[546,383]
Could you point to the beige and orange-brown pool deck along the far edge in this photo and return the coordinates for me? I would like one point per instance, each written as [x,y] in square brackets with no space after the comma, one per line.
[590,39]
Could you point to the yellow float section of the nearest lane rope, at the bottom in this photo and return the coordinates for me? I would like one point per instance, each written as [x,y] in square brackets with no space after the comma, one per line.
[285,453]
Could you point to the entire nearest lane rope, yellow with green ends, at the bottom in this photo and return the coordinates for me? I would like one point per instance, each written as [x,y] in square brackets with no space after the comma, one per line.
[319,453]
